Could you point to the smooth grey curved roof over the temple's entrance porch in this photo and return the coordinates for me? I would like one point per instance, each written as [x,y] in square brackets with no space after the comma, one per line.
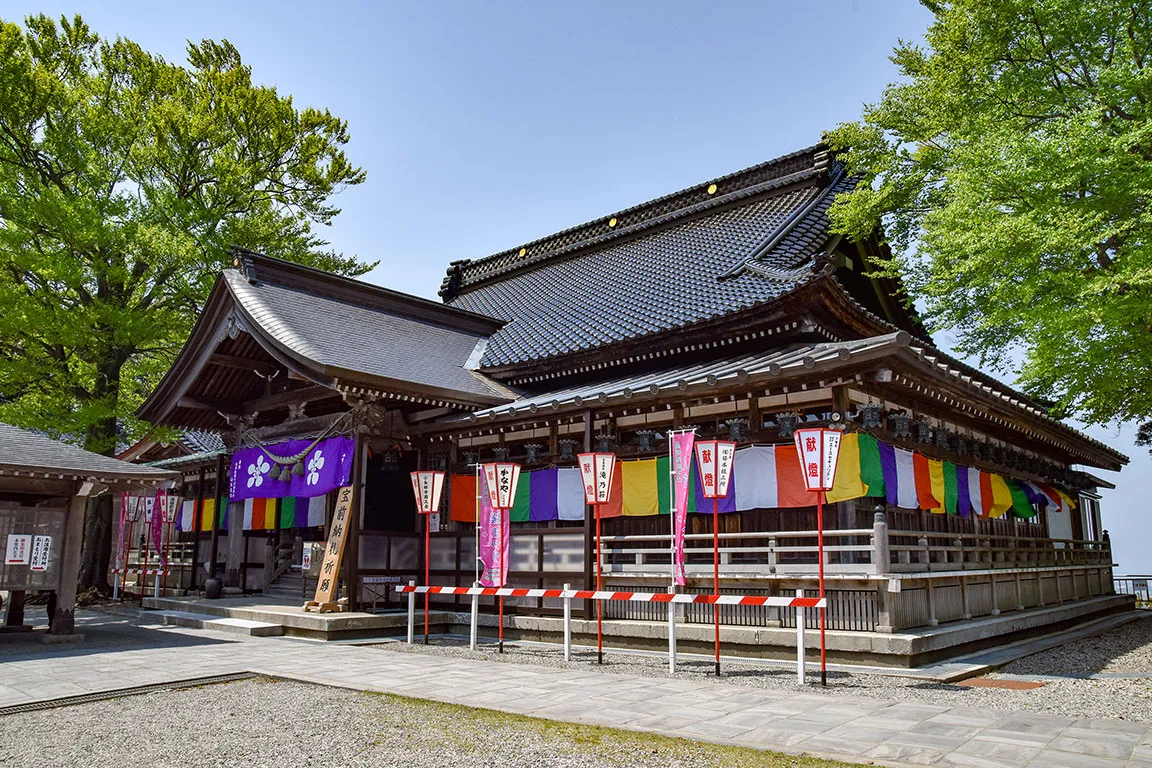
[346,337]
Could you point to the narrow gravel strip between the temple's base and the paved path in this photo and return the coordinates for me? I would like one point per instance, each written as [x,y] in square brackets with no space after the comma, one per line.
[1124,699]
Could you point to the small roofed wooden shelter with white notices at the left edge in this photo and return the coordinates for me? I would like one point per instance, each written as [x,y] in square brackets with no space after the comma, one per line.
[44,489]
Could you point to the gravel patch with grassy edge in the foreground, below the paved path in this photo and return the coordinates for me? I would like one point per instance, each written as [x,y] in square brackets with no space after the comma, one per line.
[257,724]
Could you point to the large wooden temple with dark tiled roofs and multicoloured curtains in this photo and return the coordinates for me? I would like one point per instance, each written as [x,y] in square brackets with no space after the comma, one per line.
[729,307]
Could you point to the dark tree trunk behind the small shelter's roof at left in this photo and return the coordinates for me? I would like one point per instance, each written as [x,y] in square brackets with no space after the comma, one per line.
[101,439]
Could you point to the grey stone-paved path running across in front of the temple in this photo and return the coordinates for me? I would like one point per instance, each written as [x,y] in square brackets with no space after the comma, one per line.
[124,653]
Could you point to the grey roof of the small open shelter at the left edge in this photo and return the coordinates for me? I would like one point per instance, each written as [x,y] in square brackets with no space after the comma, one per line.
[31,452]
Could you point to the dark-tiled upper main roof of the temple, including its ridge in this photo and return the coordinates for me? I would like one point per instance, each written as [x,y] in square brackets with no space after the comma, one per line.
[683,260]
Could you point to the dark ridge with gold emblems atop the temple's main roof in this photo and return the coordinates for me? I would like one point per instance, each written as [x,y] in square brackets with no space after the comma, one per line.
[638,218]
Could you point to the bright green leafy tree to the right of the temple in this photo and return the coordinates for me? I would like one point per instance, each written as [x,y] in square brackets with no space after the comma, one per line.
[1011,170]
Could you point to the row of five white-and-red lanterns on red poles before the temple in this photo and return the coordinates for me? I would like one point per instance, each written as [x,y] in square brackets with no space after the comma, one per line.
[818,450]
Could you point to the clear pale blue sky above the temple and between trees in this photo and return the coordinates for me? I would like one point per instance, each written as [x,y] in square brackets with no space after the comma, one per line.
[486,126]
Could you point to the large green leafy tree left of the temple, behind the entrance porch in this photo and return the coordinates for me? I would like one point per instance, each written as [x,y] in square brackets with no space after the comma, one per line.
[124,180]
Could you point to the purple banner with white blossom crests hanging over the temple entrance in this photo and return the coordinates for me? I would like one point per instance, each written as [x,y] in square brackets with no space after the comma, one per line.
[327,467]
